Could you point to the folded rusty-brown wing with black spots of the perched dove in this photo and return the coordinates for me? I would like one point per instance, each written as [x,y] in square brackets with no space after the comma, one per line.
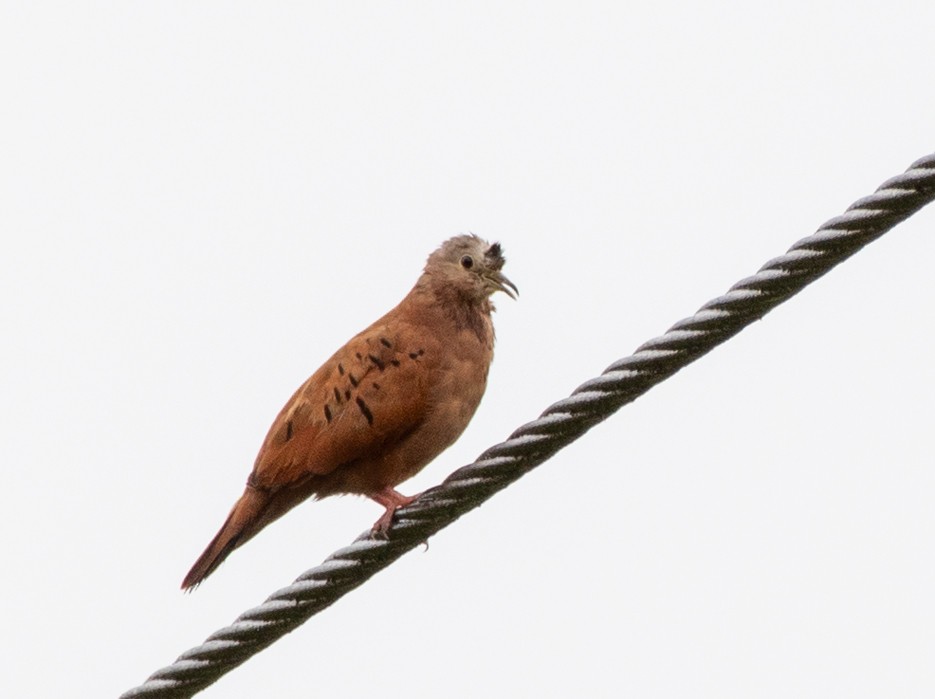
[369,395]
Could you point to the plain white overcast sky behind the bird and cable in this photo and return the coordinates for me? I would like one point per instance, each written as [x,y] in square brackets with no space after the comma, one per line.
[200,202]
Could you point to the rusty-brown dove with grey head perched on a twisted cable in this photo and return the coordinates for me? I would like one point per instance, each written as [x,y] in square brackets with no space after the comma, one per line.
[383,406]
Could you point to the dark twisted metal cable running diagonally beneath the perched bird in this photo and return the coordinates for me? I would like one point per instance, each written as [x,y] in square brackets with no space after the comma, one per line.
[533,443]
